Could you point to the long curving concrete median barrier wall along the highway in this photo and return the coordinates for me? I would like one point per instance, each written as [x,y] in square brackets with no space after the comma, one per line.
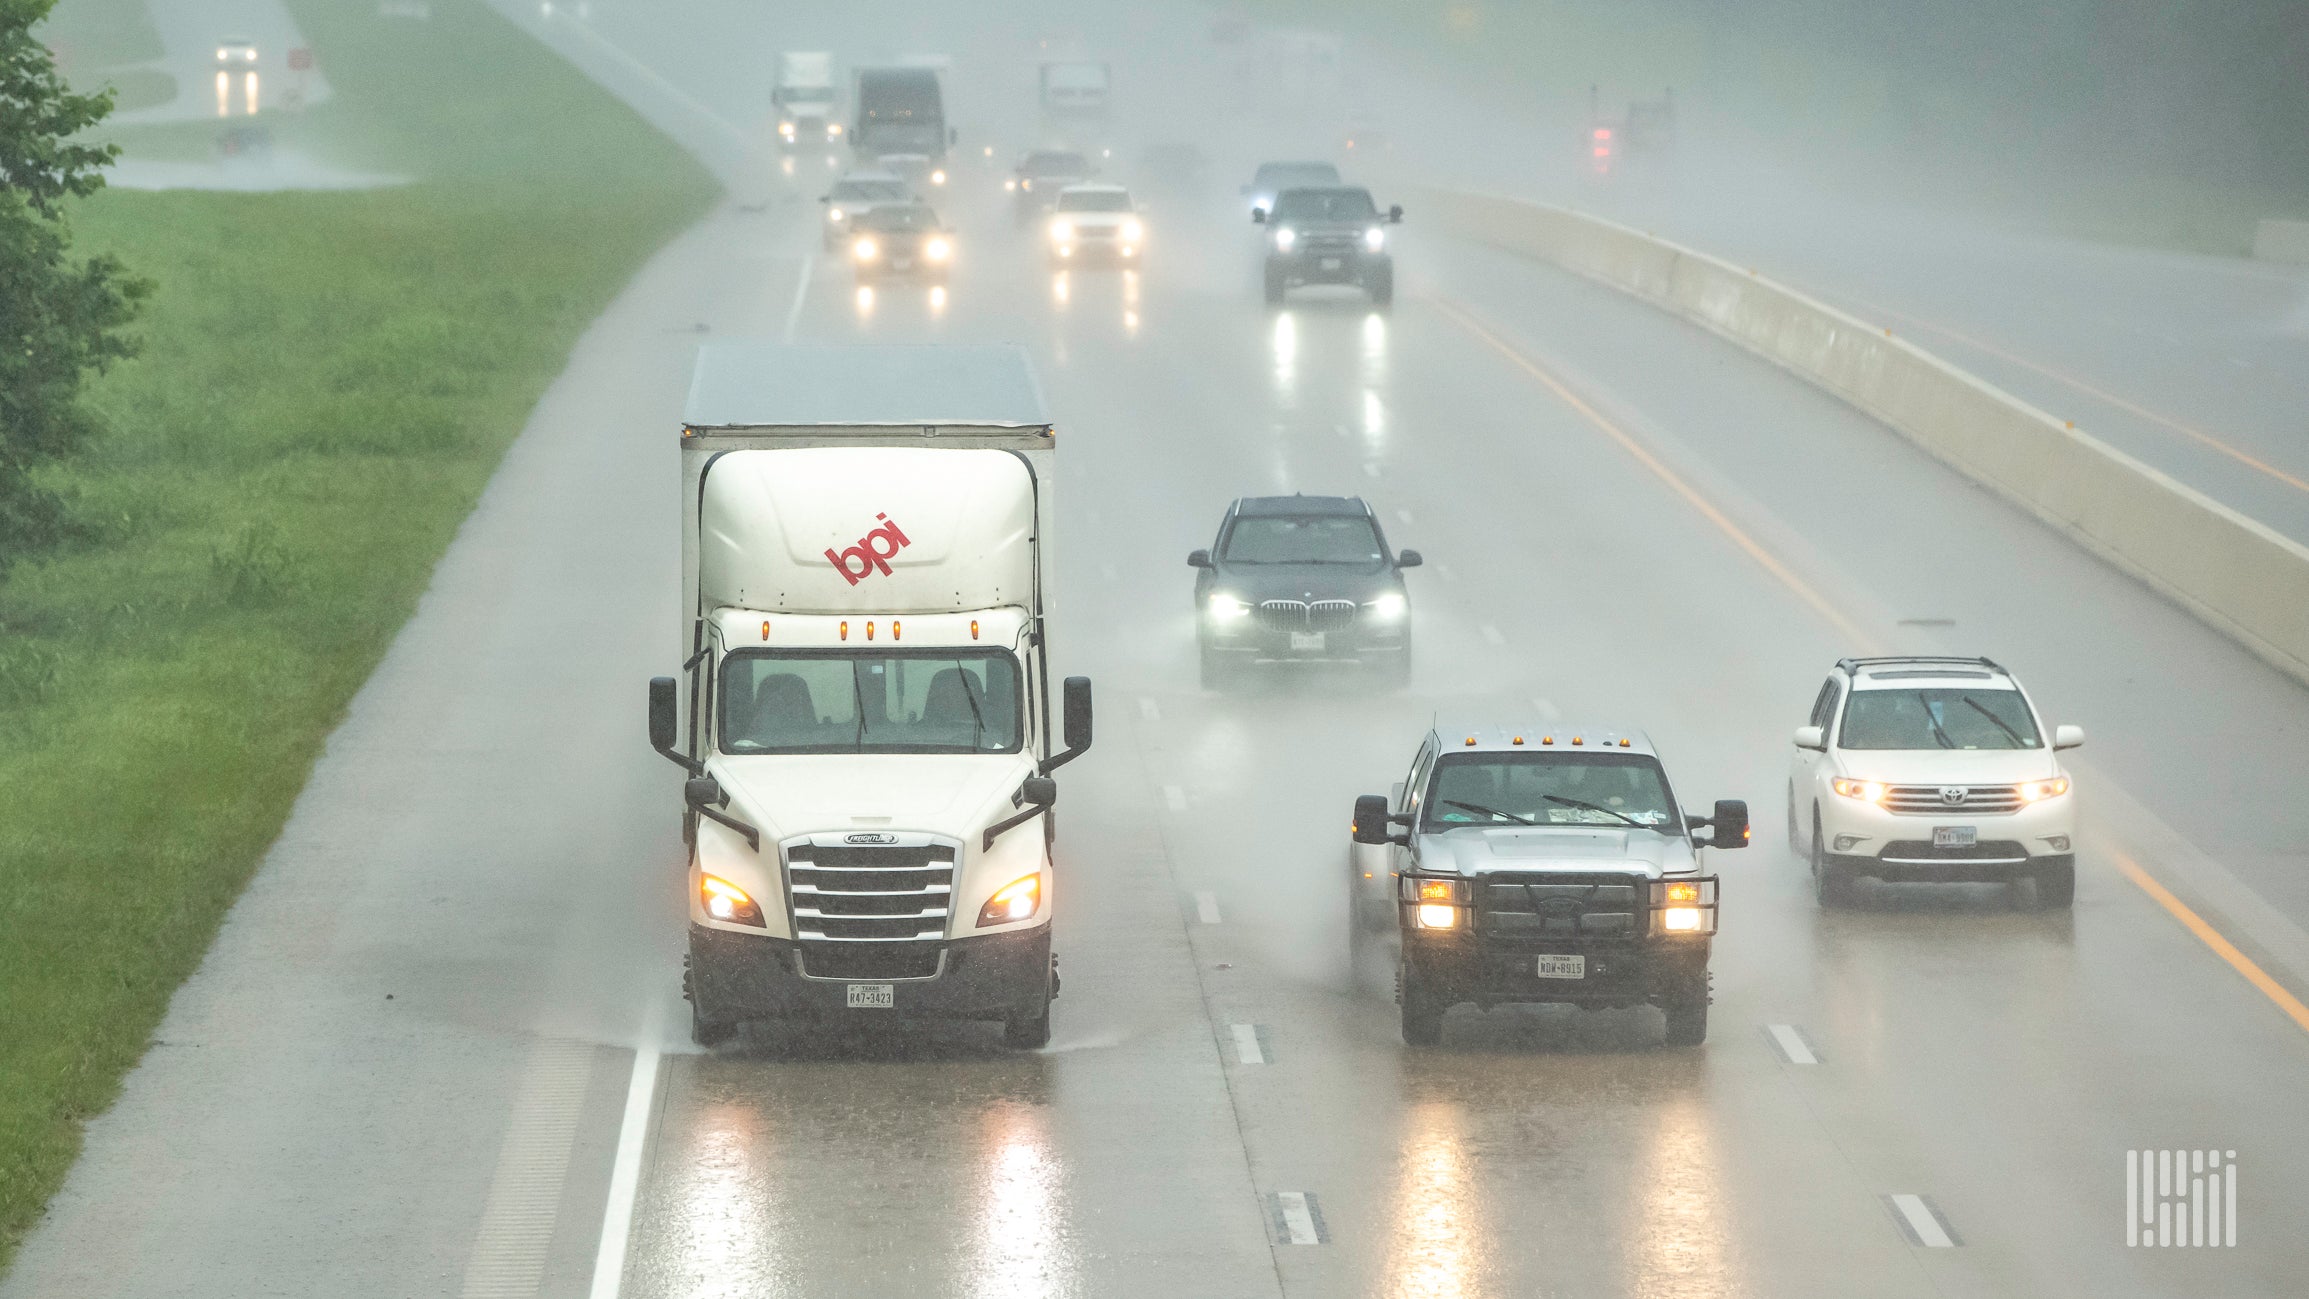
[2229,571]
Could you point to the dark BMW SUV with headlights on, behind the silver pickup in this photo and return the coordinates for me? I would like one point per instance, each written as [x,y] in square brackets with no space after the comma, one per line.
[1301,578]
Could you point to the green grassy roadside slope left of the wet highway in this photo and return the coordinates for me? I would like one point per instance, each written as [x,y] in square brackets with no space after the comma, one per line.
[329,382]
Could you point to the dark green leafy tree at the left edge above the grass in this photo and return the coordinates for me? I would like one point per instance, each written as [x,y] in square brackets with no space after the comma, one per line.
[61,317]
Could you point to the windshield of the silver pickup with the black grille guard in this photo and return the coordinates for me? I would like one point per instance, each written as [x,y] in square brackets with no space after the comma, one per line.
[1550,790]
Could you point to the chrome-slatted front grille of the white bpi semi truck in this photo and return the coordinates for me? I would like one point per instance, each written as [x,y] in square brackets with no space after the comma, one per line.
[869,894]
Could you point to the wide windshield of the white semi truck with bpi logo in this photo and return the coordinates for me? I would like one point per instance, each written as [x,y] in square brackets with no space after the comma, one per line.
[869,703]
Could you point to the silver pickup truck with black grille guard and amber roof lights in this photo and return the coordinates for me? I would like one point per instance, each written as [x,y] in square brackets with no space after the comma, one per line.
[1539,864]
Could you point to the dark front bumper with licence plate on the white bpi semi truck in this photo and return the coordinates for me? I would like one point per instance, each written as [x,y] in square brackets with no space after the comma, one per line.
[756,977]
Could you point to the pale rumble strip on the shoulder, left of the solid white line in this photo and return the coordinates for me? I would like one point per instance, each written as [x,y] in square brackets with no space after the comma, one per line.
[525,1194]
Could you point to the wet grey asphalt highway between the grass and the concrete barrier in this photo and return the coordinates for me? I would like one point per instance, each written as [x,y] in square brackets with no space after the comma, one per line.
[1223,1086]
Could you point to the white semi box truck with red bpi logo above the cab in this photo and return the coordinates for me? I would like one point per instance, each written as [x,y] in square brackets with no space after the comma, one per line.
[869,700]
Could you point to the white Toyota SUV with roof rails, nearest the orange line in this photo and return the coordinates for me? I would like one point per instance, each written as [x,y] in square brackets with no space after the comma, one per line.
[1931,769]
